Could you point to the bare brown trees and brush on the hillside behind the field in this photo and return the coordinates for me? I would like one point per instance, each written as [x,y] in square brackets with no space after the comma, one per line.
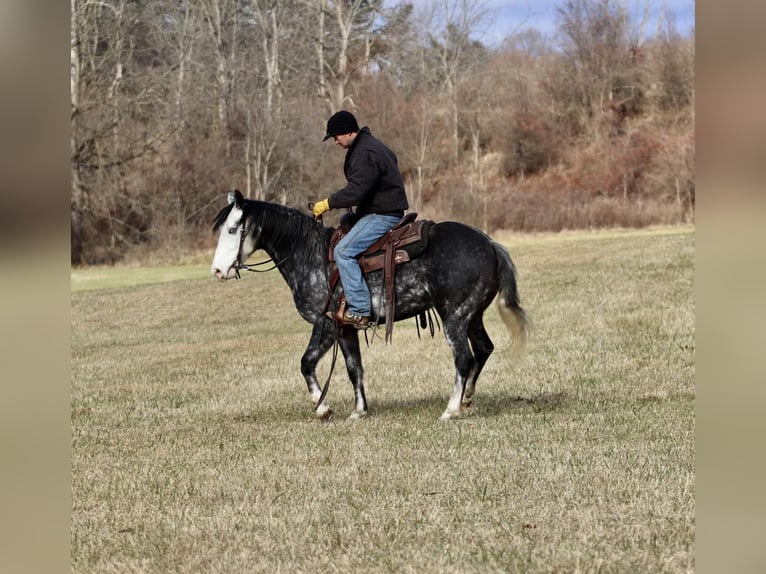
[176,102]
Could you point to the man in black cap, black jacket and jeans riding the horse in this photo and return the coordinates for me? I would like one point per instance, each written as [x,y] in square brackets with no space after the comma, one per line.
[375,187]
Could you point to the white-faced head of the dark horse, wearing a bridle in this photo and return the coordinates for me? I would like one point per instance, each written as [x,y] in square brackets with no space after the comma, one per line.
[234,243]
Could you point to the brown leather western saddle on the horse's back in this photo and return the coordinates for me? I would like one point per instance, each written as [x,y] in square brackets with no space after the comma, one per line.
[407,240]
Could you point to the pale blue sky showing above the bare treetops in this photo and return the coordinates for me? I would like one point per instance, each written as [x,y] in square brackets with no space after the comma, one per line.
[509,16]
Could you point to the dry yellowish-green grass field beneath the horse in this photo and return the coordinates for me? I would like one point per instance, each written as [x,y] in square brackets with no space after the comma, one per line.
[195,448]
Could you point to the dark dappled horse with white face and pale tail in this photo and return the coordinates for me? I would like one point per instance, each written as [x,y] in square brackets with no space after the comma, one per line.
[458,275]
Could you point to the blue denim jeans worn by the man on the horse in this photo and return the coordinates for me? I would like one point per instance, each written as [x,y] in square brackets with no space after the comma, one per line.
[365,232]
